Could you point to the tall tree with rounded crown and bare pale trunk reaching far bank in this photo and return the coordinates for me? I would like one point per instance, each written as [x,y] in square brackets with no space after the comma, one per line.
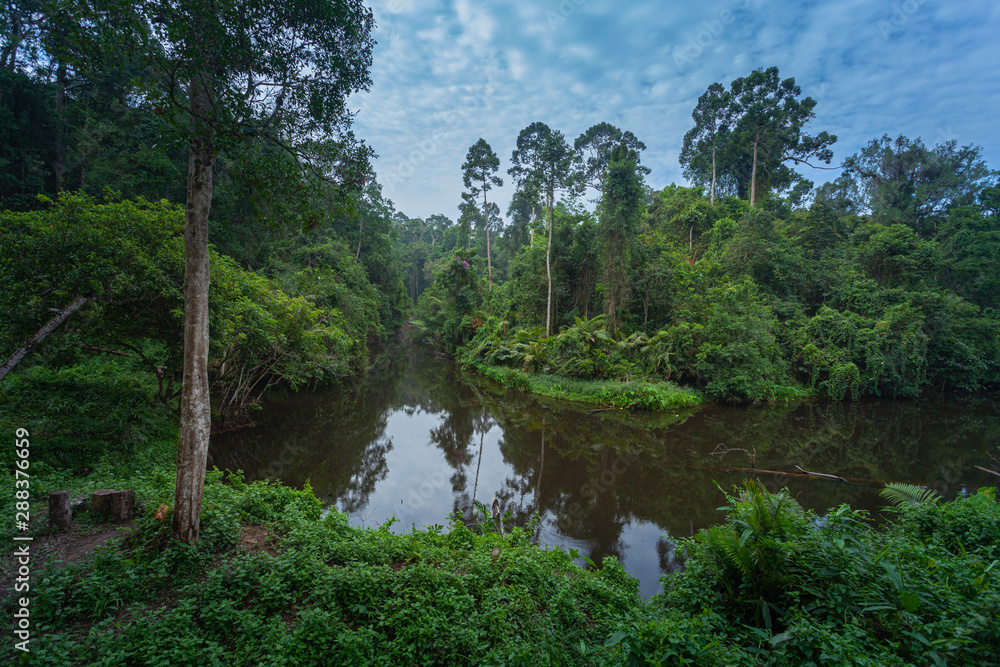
[543,161]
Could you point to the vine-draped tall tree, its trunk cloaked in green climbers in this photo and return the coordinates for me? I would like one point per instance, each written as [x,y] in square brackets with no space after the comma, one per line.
[620,211]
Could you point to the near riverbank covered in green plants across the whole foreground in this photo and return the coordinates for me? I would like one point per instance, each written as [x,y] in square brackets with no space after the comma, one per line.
[275,582]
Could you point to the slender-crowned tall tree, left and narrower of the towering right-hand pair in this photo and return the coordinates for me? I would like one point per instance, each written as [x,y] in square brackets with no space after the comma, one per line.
[713,118]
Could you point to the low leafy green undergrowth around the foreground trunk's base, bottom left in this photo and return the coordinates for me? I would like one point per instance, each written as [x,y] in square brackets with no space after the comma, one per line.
[330,595]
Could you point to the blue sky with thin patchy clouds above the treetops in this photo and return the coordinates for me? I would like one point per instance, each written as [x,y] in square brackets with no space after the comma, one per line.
[448,72]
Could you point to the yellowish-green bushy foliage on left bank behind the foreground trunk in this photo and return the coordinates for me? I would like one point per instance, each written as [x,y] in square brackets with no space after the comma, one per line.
[128,259]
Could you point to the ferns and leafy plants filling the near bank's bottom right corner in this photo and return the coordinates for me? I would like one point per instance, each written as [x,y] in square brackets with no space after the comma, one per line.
[788,587]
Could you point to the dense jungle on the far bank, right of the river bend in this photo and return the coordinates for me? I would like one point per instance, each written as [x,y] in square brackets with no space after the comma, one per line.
[883,282]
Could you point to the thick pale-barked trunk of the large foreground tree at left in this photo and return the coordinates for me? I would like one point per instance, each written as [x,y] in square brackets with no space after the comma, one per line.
[196,413]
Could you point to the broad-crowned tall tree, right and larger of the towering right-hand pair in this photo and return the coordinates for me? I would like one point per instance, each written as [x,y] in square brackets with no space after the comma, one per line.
[768,123]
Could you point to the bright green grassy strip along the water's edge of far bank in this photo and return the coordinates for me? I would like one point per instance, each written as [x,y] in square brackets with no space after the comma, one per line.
[633,395]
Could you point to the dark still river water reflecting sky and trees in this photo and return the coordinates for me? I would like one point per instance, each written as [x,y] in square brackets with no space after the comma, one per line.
[419,440]
